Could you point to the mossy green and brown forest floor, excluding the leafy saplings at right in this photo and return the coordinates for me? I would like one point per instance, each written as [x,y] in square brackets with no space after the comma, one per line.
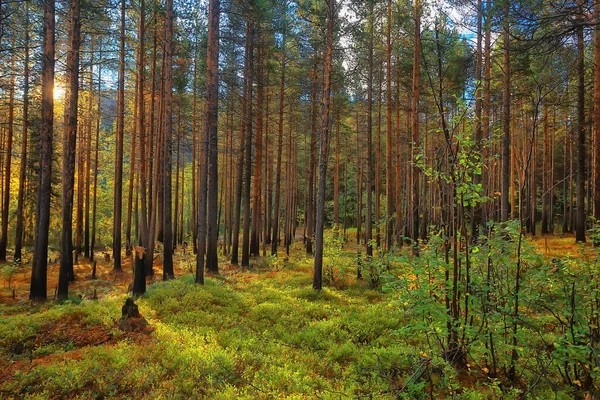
[260,333]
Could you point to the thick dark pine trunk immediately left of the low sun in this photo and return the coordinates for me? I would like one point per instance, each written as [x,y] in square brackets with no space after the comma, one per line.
[40,248]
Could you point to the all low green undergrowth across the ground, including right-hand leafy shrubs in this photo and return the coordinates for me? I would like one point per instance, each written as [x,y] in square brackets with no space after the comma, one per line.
[265,333]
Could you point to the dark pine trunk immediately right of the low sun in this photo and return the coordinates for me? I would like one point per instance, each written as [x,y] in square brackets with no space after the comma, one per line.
[69,143]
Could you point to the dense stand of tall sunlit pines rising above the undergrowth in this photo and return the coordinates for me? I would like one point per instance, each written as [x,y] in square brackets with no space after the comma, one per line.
[241,126]
